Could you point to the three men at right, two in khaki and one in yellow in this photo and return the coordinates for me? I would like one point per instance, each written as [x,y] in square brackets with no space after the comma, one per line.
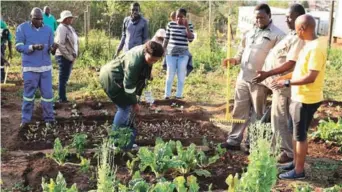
[292,67]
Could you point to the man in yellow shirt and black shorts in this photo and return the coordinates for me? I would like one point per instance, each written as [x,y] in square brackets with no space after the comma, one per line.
[307,92]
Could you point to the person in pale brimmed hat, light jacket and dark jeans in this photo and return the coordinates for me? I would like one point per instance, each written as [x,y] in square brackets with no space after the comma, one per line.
[67,51]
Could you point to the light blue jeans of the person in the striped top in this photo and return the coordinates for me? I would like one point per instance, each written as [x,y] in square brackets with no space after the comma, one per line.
[175,64]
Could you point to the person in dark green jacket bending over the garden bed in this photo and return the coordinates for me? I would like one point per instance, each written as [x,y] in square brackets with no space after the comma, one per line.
[123,79]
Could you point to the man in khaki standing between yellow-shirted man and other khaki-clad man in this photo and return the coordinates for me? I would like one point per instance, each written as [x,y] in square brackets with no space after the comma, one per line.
[282,58]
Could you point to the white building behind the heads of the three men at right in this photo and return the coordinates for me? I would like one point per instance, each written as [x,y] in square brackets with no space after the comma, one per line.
[246,19]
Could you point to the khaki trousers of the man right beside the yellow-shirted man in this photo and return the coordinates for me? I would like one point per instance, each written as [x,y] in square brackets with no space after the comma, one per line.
[280,118]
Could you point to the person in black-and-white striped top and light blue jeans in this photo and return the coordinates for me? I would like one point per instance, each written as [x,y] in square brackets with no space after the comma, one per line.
[178,34]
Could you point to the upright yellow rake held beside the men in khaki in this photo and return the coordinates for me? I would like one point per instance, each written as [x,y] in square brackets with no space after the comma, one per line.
[228,117]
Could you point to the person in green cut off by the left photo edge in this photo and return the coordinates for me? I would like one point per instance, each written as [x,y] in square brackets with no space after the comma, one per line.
[6,37]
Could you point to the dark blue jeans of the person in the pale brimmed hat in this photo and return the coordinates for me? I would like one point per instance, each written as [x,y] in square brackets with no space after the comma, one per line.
[65,67]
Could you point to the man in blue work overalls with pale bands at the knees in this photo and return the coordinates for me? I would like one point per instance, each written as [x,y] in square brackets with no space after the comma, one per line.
[35,42]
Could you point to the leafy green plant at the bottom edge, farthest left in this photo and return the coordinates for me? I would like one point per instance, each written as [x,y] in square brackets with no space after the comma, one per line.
[58,186]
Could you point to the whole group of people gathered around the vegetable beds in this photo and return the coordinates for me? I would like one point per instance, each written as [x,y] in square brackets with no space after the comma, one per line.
[291,66]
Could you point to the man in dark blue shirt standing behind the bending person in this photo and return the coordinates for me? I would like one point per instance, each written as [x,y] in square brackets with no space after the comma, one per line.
[134,30]
